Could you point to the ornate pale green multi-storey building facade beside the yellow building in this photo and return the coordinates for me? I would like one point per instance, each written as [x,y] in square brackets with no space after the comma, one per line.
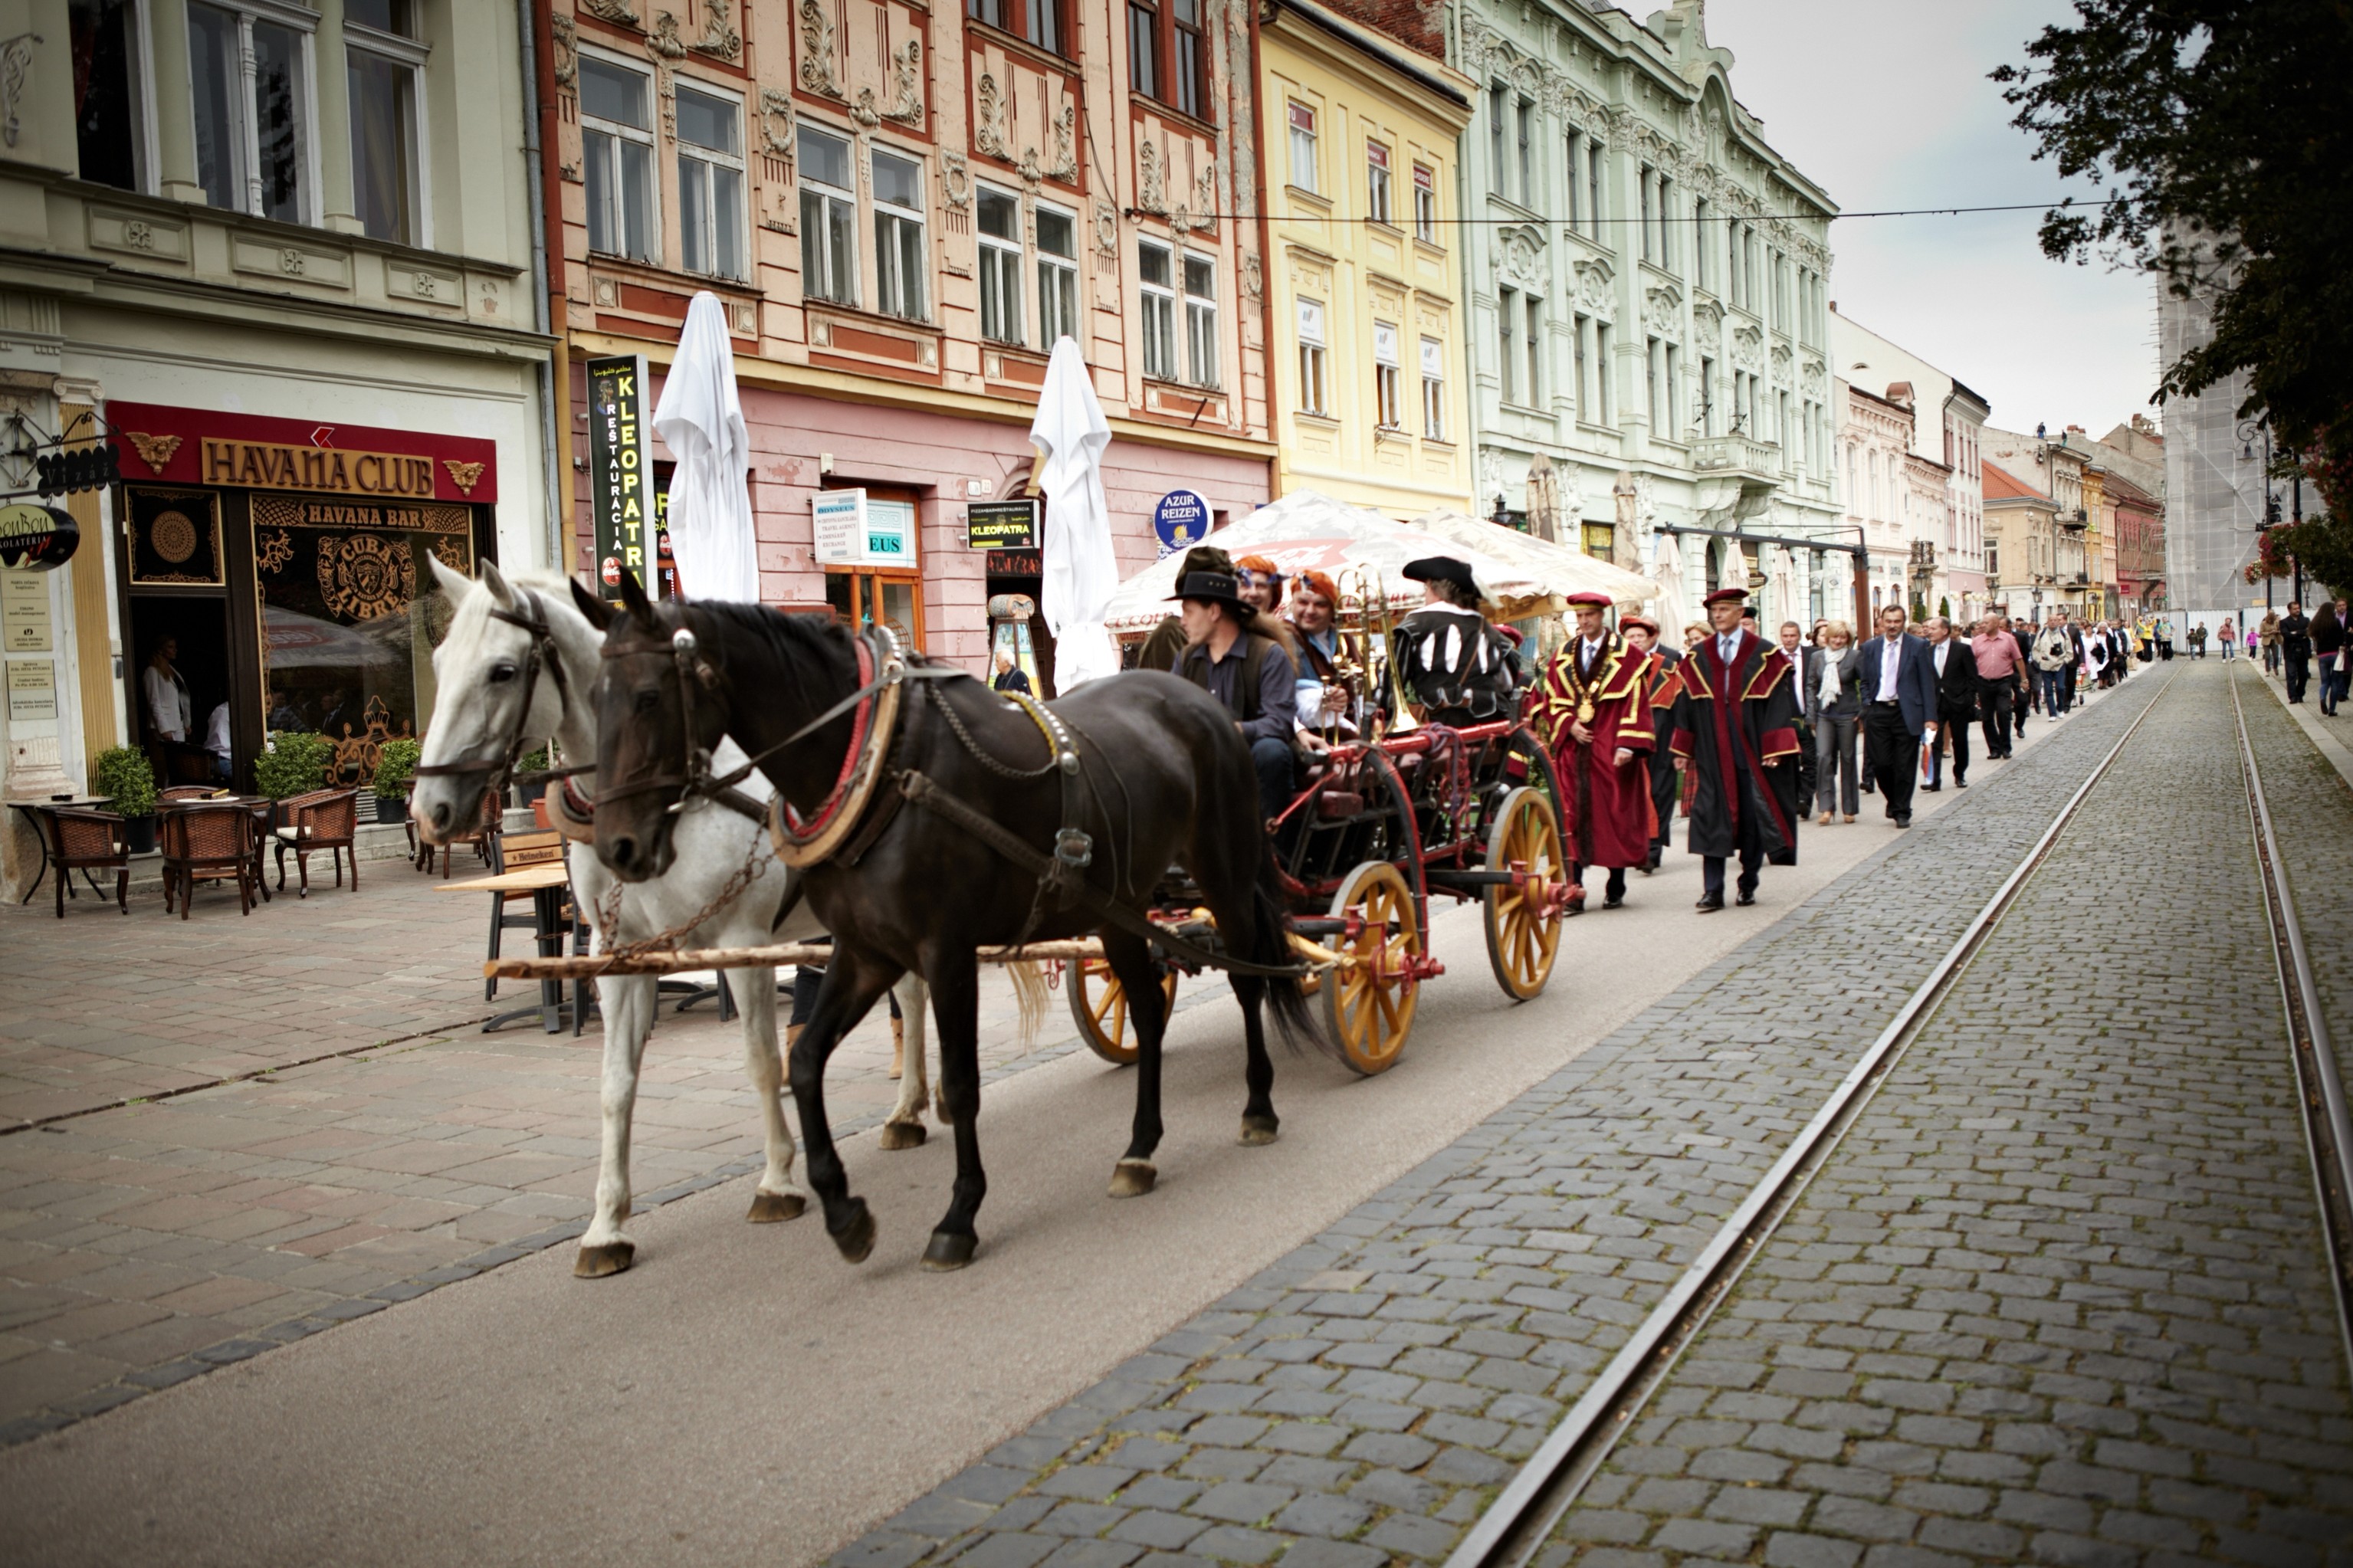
[1648,288]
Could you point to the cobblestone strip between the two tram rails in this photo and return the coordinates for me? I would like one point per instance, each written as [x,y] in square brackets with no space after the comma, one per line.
[2060,1294]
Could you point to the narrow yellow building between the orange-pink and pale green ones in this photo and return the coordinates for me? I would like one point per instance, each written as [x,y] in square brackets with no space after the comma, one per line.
[1366,263]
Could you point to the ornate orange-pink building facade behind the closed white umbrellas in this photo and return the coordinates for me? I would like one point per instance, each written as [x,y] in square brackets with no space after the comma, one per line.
[902,211]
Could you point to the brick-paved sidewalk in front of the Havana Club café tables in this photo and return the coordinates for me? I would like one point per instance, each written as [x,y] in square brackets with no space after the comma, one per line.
[147,1244]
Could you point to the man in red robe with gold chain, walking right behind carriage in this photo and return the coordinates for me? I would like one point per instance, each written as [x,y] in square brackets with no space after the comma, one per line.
[1594,715]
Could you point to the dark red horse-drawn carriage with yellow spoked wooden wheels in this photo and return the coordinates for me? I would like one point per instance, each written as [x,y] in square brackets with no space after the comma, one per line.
[1373,835]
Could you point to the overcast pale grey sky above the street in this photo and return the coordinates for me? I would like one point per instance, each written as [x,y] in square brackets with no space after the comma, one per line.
[1886,105]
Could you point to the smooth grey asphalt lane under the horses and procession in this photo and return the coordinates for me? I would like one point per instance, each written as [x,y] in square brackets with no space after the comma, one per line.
[742,1395]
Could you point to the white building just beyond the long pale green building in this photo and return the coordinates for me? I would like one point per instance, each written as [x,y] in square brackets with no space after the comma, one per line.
[1947,439]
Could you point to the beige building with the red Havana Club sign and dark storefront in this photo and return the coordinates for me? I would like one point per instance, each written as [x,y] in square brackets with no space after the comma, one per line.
[284,263]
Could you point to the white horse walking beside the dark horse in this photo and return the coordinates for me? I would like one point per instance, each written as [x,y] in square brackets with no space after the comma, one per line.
[486,679]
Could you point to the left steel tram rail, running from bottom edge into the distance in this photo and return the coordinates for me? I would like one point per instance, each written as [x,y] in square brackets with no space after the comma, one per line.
[1549,1482]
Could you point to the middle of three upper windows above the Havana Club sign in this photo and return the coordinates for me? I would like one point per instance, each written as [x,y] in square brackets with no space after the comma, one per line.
[251,98]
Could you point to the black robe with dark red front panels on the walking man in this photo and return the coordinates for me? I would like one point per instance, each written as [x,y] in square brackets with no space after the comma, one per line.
[1738,733]
